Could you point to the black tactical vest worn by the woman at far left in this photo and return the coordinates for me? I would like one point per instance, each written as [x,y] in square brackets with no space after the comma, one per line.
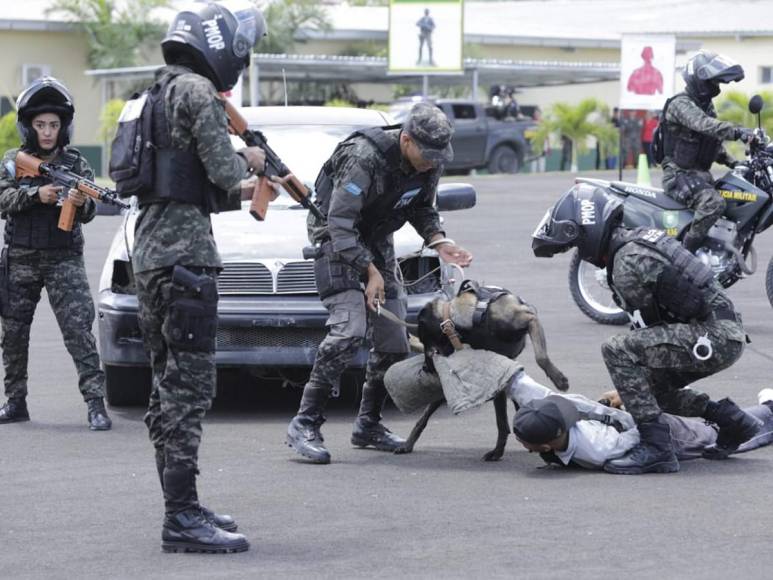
[37,228]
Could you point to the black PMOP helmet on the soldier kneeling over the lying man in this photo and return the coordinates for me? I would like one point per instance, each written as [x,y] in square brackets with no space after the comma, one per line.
[584,218]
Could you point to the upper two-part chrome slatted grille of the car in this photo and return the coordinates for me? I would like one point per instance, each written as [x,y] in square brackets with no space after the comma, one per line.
[255,278]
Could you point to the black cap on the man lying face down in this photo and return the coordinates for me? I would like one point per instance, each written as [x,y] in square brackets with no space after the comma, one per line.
[543,420]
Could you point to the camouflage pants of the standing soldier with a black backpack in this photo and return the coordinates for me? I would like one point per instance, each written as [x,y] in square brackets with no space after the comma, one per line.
[183,380]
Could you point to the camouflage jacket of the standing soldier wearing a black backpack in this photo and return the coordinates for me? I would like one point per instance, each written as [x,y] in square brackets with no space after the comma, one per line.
[180,233]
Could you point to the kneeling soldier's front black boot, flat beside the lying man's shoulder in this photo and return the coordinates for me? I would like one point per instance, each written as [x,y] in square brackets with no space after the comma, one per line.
[653,454]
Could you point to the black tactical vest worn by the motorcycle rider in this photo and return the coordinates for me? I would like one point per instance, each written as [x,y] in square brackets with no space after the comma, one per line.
[687,148]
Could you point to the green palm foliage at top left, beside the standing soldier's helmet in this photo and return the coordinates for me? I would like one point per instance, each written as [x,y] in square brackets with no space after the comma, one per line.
[117,32]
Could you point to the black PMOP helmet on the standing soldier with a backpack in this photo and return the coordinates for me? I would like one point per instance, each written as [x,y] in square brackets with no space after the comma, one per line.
[215,39]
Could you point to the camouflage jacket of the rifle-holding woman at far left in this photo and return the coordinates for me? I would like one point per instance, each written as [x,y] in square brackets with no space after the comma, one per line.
[17,197]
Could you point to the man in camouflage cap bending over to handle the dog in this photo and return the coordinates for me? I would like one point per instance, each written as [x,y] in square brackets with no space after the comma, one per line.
[374,182]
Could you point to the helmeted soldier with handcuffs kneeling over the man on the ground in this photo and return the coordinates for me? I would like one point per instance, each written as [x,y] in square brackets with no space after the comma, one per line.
[684,325]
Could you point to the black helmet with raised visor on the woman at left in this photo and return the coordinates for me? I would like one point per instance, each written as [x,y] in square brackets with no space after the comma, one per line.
[44,95]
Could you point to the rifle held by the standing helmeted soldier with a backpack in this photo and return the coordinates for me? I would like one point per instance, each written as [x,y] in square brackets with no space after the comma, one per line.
[263,192]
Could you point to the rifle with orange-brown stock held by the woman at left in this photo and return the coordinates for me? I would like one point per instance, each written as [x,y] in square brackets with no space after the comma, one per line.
[30,166]
